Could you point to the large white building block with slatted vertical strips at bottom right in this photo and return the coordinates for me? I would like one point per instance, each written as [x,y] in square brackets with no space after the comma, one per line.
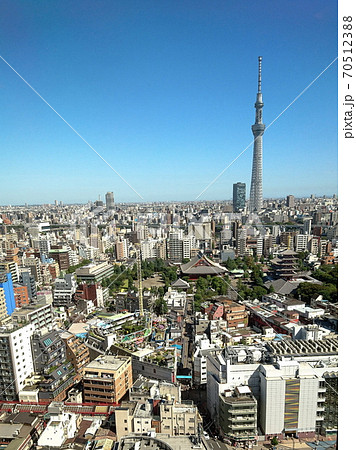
[290,392]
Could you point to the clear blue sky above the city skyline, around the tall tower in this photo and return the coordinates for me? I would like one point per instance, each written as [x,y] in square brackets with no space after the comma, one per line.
[164,91]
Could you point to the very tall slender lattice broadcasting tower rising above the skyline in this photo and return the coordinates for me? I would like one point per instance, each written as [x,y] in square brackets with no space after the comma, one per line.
[258,129]
